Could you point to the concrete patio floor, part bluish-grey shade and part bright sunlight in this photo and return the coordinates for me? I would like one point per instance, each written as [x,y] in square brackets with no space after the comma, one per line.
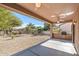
[52,47]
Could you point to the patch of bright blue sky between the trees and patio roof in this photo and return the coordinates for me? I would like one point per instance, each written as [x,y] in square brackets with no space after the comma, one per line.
[27,19]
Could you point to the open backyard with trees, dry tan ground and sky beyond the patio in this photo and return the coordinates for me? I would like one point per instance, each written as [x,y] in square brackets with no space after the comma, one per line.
[14,37]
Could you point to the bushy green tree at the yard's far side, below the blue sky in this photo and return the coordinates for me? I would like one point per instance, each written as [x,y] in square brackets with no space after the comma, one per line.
[32,29]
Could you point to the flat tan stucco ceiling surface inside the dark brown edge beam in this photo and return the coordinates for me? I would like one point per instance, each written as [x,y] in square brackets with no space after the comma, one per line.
[48,10]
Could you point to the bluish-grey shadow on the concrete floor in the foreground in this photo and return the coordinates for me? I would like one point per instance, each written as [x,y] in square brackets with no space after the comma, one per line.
[41,51]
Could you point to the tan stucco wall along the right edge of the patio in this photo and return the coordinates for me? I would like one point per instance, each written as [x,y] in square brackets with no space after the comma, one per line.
[76,30]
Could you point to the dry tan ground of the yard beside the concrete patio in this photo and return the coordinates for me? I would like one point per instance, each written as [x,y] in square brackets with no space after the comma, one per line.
[9,47]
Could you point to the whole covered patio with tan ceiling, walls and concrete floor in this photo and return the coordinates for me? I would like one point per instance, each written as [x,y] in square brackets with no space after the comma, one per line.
[53,13]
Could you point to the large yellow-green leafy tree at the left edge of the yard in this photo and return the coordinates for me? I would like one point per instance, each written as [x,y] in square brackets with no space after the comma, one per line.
[8,20]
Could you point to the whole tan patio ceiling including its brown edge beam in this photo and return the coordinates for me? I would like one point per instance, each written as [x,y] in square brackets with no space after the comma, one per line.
[50,12]
